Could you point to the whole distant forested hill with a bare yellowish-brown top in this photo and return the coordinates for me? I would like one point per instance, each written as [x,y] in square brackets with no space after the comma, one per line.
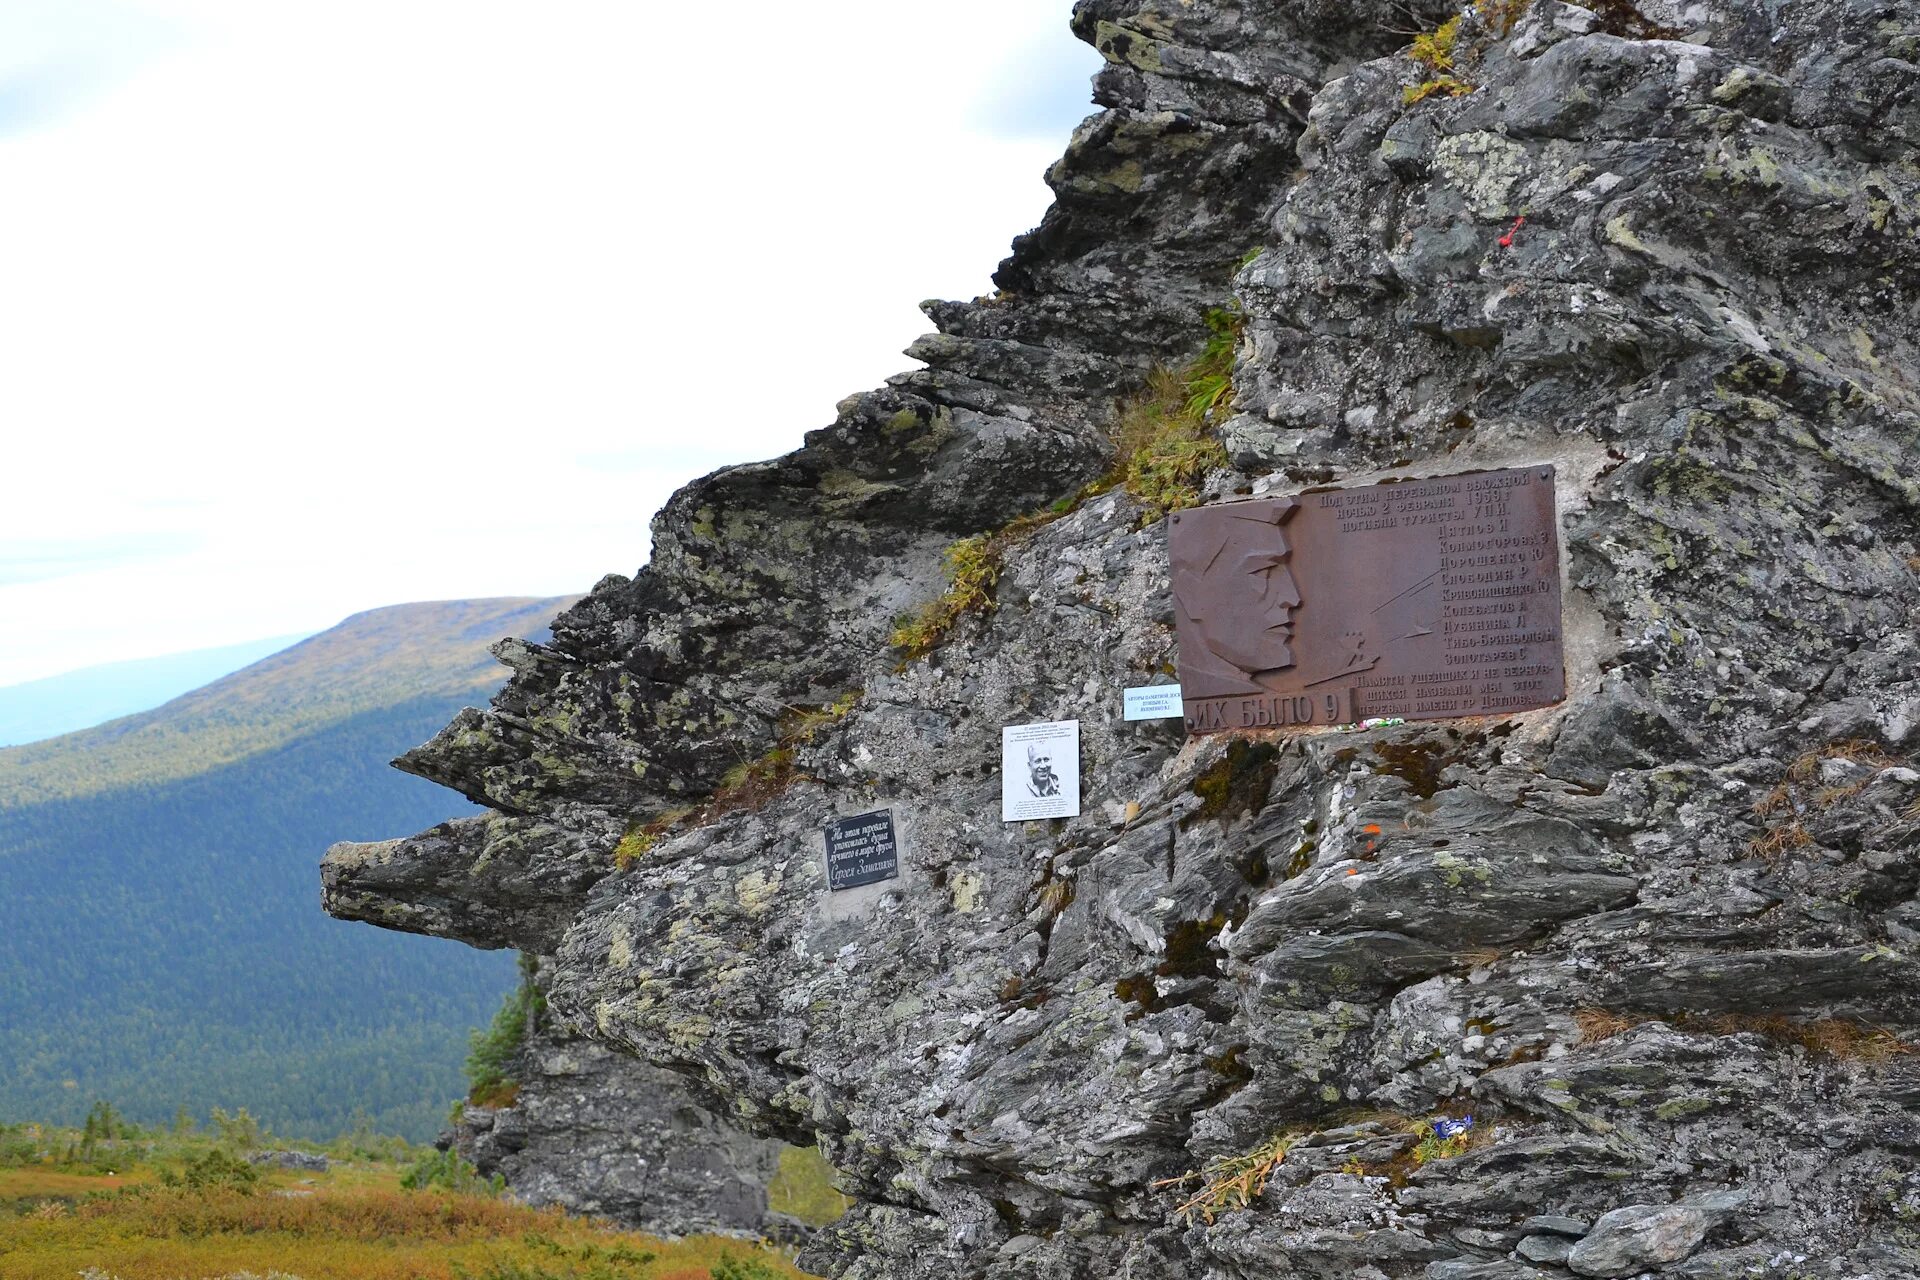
[160,932]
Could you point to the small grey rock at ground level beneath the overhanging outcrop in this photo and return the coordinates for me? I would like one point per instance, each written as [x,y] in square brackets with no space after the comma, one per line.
[600,1133]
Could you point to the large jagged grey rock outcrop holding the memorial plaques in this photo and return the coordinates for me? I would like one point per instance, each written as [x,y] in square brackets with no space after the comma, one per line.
[1660,941]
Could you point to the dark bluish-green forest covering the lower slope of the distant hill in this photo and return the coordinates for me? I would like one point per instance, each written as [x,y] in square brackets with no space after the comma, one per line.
[162,945]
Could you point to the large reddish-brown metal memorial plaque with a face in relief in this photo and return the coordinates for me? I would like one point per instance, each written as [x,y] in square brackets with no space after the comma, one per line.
[1418,600]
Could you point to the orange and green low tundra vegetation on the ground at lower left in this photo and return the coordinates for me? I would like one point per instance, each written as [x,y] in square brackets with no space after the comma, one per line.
[187,1206]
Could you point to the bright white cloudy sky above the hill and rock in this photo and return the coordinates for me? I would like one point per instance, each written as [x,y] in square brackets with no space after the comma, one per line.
[322,306]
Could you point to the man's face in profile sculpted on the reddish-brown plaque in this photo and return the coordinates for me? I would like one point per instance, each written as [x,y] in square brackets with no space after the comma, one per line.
[1234,584]
